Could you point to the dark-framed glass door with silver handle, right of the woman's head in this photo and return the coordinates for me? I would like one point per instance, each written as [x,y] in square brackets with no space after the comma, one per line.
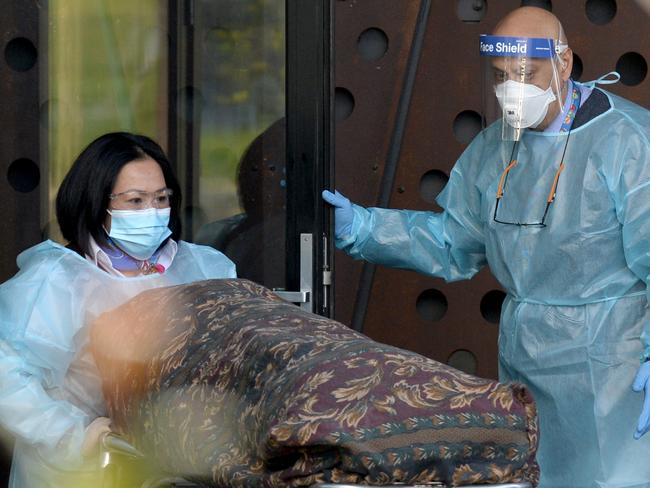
[250,130]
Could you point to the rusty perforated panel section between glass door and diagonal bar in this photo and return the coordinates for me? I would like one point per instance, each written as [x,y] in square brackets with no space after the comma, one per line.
[362,140]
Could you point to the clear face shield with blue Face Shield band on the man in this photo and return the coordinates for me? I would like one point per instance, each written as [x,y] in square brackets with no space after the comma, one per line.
[521,82]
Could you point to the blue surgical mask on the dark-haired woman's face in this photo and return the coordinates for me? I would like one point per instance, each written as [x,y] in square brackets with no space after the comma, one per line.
[139,232]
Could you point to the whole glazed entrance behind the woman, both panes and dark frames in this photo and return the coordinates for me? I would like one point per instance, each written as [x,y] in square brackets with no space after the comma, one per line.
[236,91]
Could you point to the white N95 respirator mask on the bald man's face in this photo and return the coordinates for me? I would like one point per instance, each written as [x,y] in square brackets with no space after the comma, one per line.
[524,105]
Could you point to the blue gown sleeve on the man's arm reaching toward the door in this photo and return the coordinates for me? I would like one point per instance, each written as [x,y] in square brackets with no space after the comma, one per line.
[449,245]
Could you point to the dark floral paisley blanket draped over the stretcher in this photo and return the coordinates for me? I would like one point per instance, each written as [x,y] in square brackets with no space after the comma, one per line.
[224,383]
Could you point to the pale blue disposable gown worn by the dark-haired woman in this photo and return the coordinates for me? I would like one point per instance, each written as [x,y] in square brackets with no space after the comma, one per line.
[49,389]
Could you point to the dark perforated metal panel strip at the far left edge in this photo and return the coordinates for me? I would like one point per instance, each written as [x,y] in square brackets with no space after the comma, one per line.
[20,129]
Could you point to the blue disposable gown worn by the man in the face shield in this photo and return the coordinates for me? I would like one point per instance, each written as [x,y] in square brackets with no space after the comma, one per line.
[575,319]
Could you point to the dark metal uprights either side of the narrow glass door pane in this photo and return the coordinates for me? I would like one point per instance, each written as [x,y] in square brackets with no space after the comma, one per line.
[309,135]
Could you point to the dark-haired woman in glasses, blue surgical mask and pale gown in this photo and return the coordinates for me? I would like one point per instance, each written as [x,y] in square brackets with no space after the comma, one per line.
[118,207]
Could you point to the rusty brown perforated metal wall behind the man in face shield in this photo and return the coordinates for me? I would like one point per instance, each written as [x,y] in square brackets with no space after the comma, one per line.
[404,118]
